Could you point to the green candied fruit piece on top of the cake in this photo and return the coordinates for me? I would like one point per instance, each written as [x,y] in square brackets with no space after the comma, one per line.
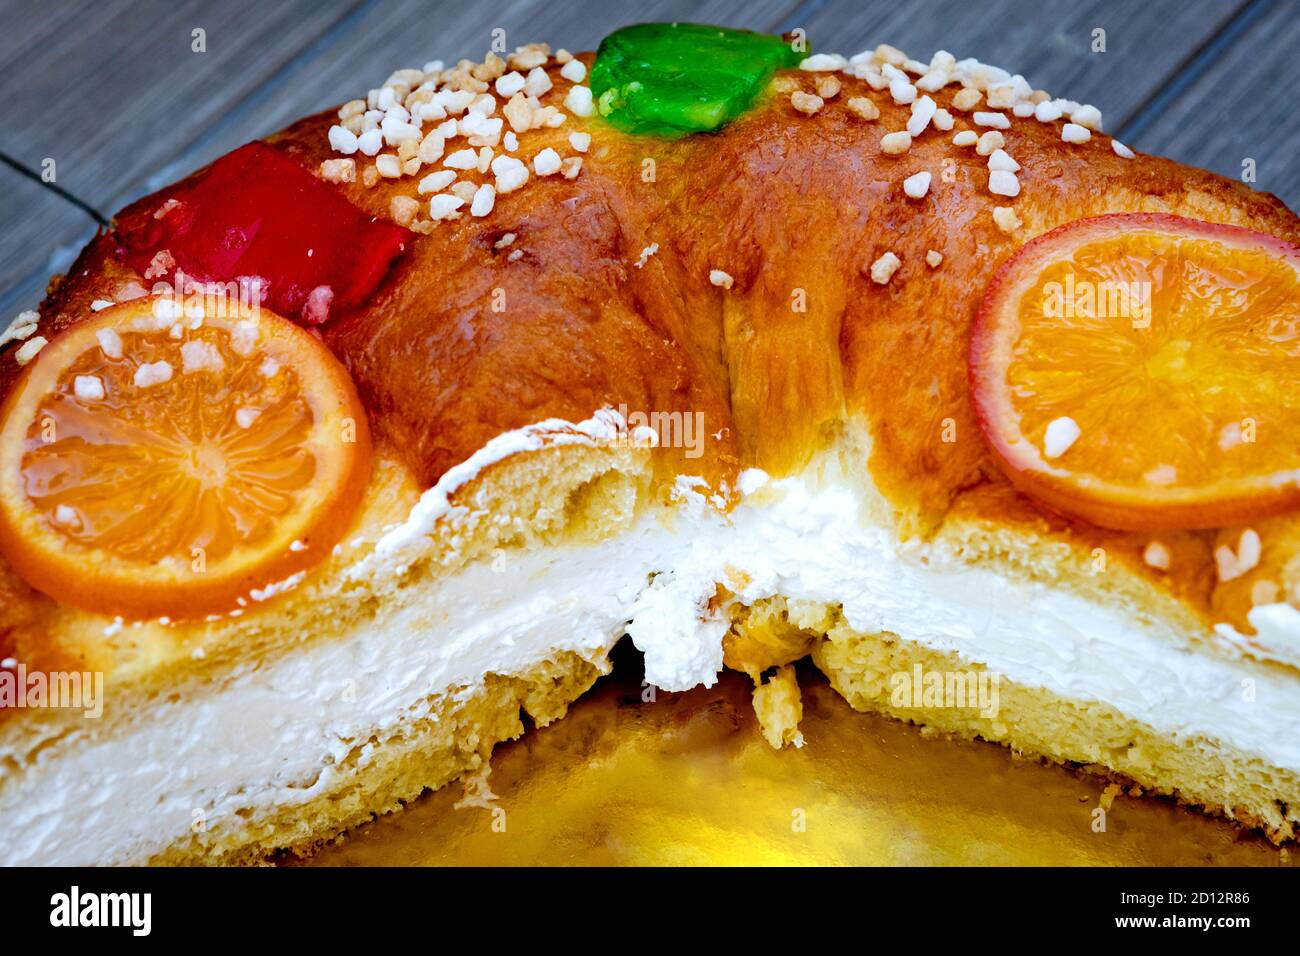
[670,80]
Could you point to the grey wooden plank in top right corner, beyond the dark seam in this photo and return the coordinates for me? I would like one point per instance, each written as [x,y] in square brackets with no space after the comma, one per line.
[1238,110]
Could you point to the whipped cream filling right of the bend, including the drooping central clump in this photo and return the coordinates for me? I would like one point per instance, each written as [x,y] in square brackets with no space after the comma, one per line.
[805,542]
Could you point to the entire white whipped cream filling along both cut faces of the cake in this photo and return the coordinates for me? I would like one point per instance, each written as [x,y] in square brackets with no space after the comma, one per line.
[276,734]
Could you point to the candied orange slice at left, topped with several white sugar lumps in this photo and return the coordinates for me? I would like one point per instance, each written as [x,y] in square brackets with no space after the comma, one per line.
[158,461]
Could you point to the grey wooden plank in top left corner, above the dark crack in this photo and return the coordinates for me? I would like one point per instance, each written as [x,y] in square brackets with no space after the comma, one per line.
[114,90]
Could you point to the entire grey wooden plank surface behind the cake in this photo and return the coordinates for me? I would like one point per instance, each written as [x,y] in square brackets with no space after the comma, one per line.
[114,94]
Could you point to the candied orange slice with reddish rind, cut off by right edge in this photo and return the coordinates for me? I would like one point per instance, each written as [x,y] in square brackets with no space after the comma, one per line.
[1141,371]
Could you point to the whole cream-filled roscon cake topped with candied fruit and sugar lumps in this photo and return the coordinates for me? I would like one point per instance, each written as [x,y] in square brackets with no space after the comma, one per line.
[327,465]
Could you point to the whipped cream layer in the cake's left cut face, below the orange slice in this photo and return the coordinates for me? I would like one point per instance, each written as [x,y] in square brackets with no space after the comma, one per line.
[276,734]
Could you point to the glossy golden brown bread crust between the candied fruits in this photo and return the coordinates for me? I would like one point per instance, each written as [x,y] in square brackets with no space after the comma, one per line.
[795,209]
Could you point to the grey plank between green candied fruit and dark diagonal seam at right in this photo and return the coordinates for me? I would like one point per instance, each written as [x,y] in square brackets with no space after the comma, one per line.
[1048,42]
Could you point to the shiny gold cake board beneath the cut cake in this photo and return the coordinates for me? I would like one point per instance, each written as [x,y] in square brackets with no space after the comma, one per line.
[688,780]
